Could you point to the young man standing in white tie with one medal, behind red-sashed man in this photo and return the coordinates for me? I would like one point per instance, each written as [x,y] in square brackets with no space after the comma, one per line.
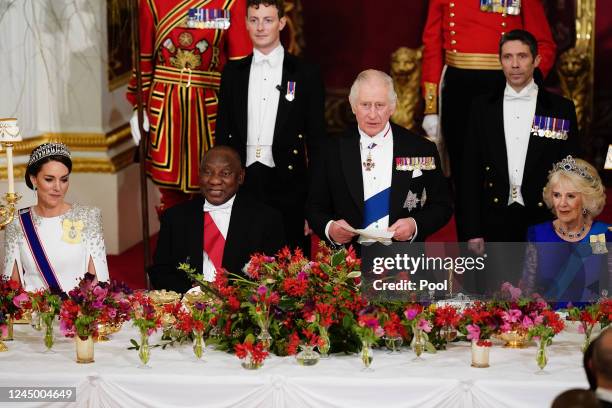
[271,110]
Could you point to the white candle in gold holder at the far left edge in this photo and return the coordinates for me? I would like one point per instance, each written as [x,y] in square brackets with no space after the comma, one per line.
[9,134]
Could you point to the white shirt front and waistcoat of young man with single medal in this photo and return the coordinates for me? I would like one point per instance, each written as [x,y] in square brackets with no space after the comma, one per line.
[266,74]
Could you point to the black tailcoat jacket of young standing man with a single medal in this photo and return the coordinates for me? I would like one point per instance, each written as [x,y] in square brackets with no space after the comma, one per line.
[300,124]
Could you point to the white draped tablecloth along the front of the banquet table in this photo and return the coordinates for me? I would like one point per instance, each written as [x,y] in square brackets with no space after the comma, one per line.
[176,379]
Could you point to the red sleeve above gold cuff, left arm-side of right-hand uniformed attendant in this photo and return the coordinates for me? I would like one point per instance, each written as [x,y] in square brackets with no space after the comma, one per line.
[433,44]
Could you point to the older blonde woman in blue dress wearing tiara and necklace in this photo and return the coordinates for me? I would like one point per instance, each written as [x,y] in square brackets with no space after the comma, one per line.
[567,258]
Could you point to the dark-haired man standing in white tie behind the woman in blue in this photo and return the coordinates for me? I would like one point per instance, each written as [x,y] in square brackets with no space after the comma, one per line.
[514,138]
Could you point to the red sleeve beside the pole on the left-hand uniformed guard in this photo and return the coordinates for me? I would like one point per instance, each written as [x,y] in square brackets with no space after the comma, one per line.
[147,41]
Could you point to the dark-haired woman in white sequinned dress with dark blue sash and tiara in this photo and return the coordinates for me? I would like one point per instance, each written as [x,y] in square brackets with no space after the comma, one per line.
[53,244]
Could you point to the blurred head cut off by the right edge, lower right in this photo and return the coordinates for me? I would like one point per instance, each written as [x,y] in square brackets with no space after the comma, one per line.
[602,366]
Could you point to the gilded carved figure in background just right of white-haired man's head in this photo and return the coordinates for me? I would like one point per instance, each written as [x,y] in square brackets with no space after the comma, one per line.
[406,74]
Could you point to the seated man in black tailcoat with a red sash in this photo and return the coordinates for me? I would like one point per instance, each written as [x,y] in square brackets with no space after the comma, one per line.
[220,229]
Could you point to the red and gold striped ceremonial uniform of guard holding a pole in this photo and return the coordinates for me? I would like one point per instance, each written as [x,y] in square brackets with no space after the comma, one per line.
[181,72]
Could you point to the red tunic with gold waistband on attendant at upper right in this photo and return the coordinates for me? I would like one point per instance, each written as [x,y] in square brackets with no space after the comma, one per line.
[459,34]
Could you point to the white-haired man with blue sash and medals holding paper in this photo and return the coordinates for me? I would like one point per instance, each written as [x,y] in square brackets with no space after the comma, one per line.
[377,176]
